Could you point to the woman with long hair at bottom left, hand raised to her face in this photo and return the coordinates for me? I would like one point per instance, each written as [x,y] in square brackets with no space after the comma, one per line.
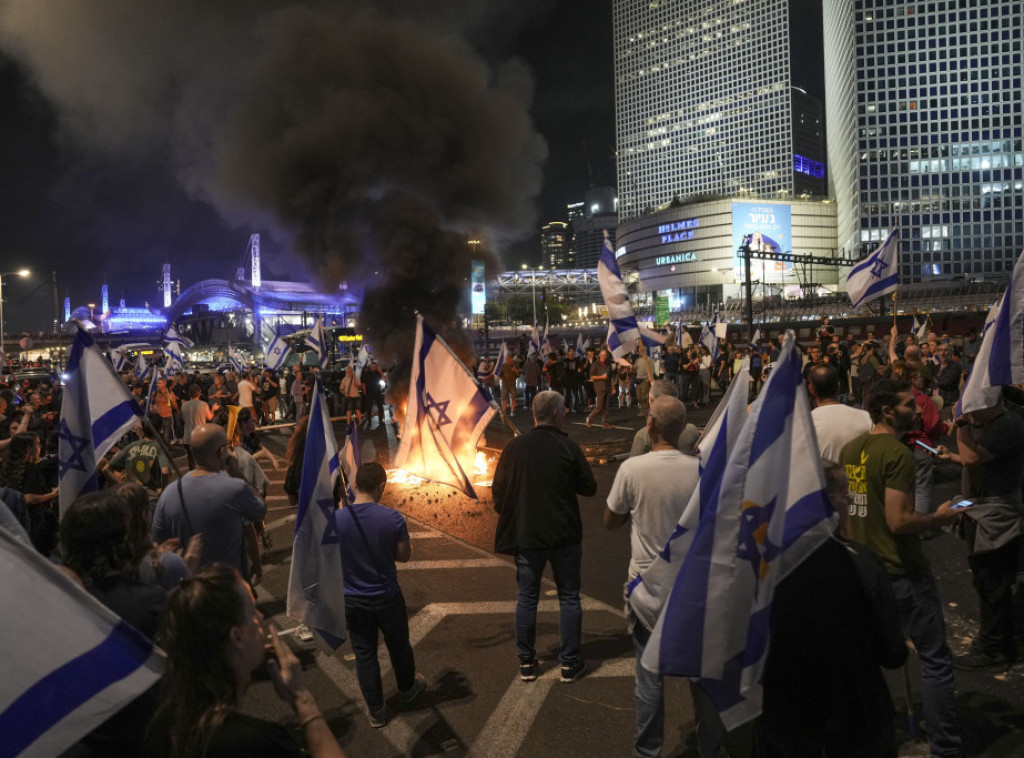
[215,641]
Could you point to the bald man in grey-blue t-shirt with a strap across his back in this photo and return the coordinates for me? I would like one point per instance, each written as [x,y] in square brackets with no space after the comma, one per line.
[209,502]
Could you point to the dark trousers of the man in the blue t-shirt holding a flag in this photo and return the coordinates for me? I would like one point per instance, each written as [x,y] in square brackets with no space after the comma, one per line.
[365,616]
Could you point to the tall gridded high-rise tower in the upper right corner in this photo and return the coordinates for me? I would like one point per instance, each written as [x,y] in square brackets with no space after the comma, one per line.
[925,121]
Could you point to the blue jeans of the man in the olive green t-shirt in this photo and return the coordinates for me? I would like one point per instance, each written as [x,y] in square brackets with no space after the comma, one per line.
[921,616]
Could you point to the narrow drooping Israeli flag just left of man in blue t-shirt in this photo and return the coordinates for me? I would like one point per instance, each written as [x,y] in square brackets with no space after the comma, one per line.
[316,584]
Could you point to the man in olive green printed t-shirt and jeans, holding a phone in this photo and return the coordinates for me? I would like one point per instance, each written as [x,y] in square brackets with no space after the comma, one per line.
[880,470]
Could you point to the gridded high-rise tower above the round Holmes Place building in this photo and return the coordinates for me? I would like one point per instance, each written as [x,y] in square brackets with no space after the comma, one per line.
[705,103]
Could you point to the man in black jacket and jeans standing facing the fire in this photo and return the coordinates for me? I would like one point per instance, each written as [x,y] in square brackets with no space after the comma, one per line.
[537,481]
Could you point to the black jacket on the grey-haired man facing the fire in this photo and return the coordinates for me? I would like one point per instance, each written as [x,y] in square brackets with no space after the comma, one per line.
[537,481]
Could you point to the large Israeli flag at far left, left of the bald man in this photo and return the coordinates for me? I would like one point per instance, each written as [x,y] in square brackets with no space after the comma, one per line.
[96,412]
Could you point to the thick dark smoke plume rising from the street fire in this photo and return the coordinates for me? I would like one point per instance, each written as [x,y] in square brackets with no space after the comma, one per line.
[370,135]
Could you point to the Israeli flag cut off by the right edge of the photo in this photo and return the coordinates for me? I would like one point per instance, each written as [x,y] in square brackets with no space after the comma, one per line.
[1001,357]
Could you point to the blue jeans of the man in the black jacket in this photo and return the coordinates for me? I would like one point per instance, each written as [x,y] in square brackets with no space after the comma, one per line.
[529,570]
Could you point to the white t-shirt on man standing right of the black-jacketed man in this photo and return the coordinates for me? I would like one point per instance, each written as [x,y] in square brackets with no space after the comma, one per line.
[654,489]
